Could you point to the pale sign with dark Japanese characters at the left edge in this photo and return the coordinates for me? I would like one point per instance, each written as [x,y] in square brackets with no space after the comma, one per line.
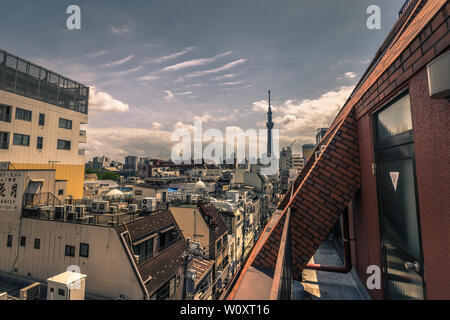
[11,190]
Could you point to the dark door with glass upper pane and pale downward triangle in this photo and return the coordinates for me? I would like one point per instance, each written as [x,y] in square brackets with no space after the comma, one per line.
[399,219]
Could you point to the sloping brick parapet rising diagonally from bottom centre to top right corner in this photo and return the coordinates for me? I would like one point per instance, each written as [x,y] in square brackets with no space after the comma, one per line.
[325,186]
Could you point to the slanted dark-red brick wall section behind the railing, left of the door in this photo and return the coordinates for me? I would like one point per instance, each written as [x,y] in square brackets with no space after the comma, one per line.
[320,199]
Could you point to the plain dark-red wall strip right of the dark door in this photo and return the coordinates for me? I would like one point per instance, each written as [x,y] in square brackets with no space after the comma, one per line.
[431,128]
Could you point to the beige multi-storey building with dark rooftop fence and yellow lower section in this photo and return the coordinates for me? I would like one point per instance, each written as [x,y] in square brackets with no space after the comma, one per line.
[41,115]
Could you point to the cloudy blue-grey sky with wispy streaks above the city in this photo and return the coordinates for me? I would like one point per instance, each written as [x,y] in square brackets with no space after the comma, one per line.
[157,65]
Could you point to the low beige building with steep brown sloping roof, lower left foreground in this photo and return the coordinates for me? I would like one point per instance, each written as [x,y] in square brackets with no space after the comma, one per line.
[37,241]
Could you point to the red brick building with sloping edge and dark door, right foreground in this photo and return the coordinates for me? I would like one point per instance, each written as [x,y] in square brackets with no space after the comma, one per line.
[383,166]
